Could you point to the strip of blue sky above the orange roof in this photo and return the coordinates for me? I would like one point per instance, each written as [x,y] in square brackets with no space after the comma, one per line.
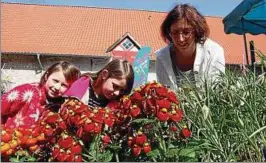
[219,8]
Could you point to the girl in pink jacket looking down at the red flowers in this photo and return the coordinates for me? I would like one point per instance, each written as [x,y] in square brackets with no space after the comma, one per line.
[113,81]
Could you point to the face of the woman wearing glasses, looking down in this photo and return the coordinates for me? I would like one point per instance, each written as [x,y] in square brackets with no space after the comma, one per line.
[182,35]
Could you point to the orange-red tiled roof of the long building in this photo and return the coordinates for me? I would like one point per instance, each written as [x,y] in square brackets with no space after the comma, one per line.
[90,31]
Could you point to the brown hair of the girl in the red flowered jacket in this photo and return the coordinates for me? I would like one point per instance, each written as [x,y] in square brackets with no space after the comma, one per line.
[70,71]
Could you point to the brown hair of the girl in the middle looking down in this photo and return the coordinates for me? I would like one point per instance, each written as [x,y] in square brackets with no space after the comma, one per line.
[118,69]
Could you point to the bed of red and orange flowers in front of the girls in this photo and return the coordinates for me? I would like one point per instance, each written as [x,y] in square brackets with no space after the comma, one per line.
[145,126]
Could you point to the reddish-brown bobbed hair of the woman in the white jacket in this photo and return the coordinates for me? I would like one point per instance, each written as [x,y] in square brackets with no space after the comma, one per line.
[191,16]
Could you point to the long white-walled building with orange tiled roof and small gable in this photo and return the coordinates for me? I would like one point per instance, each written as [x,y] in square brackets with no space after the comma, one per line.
[35,36]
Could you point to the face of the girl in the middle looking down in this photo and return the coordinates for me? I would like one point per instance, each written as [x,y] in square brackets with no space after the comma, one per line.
[112,88]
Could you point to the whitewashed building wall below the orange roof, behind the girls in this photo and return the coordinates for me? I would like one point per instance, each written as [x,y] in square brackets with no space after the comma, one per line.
[26,69]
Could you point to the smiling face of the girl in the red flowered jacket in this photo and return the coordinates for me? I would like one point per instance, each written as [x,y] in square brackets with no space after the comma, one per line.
[56,84]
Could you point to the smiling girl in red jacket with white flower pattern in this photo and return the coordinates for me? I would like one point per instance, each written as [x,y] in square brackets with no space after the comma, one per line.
[22,106]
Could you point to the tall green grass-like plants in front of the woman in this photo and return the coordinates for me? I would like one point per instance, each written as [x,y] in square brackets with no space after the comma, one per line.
[228,118]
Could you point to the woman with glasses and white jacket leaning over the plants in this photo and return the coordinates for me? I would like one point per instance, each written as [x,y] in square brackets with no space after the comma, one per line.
[190,54]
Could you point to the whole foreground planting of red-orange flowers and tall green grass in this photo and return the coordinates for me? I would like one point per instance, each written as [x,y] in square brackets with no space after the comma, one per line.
[219,122]
